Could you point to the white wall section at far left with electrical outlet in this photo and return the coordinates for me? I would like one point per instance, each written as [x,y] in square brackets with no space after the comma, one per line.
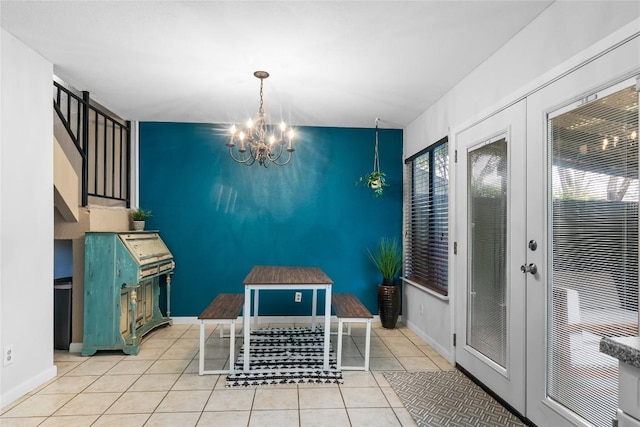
[26,218]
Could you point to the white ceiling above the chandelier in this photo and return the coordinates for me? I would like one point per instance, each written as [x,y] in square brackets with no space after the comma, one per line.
[332,63]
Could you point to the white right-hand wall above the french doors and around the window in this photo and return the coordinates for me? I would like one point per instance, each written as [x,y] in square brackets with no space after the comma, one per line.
[562,36]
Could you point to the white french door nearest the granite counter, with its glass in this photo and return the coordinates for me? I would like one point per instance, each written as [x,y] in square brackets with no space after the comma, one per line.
[582,192]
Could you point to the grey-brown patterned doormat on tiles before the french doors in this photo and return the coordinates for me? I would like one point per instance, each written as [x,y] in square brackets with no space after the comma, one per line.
[448,398]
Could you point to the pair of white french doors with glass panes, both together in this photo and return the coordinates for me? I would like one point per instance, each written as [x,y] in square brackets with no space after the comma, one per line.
[546,226]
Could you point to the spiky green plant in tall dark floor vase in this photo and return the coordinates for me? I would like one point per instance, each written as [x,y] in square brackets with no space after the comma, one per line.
[388,260]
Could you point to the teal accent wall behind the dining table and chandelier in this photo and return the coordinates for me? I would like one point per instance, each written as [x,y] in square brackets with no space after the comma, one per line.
[219,218]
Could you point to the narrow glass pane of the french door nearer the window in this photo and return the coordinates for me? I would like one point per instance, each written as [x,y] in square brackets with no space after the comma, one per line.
[486,299]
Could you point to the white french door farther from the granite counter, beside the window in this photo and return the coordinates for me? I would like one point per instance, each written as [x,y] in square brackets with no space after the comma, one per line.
[490,287]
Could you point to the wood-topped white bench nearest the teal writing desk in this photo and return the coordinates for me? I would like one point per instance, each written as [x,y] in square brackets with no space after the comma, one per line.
[224,309]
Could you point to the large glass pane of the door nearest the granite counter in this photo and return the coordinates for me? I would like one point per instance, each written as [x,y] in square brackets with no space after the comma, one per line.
[593,281]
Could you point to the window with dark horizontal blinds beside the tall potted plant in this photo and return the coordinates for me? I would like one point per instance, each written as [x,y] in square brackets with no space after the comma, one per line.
[426,217]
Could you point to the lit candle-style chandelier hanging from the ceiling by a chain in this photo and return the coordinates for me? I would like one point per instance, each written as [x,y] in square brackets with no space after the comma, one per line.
[260,142]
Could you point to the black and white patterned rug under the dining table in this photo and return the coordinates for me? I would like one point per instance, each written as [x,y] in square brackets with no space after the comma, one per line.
[285,356]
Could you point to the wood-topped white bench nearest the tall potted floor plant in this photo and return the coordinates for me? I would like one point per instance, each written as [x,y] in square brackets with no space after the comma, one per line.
[349,309]
